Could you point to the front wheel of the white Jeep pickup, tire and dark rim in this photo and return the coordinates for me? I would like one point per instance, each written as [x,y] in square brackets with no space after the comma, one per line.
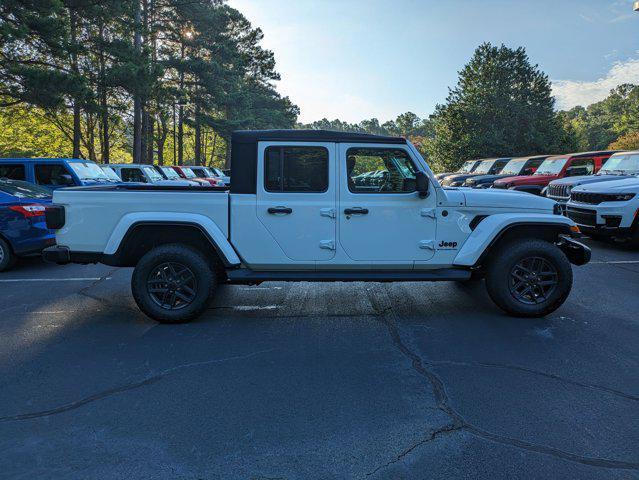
[529,278]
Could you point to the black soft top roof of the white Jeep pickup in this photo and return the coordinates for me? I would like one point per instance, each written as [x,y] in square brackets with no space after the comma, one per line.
[244,149]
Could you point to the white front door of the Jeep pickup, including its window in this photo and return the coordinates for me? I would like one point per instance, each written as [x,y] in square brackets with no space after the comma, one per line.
[381,216]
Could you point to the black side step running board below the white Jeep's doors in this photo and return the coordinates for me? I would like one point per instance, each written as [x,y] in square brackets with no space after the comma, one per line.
[246,276]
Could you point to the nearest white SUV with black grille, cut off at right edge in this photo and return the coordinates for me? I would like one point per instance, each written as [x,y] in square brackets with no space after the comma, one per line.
[609,209]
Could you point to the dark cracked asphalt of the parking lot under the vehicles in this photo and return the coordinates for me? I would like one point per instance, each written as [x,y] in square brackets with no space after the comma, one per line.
[309,380]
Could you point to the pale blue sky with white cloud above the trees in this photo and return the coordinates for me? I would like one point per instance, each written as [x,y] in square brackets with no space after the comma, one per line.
[358,59]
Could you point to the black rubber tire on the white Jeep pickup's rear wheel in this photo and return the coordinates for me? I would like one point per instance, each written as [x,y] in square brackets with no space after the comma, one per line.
[198,266]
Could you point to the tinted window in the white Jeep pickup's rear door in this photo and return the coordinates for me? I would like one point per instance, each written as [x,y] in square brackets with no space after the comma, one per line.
[296,169]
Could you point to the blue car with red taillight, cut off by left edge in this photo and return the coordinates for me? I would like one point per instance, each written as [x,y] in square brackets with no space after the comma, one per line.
[23,230]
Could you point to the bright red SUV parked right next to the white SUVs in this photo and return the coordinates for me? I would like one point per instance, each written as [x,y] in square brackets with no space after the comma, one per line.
[569,165]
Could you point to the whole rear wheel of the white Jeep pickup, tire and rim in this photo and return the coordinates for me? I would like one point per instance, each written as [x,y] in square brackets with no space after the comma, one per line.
[173,283]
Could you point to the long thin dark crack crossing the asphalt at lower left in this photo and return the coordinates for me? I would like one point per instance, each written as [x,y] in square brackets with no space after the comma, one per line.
[126,387]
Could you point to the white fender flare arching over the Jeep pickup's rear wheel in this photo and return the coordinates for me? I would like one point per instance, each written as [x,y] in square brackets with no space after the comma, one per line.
[204,223]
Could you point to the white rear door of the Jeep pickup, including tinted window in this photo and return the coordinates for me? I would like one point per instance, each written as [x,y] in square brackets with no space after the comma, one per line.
[296,197]
